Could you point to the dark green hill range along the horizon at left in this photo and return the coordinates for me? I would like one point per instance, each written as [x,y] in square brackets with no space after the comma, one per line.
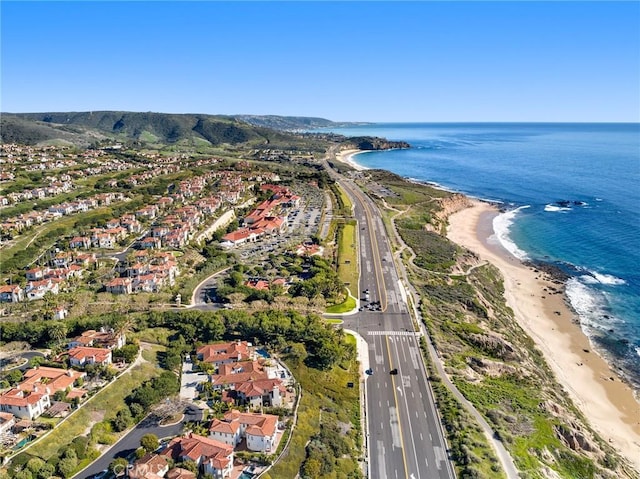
[85,128]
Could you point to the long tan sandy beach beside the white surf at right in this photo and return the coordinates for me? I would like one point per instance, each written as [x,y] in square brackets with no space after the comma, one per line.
[607,402]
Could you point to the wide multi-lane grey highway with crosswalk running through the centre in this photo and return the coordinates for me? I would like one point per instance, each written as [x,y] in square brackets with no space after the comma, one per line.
[405,438]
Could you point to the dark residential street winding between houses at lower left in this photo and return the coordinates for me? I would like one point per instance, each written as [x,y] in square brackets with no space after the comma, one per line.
[129,443]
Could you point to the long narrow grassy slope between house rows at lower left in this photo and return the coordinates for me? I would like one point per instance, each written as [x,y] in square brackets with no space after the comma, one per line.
[104,405]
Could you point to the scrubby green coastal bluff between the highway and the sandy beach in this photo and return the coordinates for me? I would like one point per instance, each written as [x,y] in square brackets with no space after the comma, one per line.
[489,358]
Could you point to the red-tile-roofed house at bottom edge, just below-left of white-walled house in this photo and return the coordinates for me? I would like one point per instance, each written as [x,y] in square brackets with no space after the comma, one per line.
[215,457]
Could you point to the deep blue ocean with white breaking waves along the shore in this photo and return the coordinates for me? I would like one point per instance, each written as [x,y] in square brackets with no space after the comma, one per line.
[572,194]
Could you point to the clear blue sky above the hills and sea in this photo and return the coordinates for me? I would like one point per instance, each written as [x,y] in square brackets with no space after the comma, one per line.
[354,61]
